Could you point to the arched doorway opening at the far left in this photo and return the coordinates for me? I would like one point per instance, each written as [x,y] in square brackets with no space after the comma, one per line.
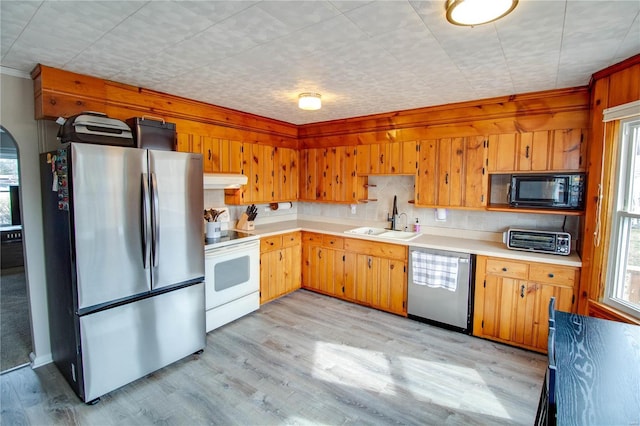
[15,330]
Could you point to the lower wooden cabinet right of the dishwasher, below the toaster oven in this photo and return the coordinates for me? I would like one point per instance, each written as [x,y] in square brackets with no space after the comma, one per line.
[512,299]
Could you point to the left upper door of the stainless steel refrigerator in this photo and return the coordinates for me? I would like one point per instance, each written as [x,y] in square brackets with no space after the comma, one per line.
[106,193]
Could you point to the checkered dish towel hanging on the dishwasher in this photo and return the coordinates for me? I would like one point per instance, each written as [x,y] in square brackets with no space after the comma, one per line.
[435,270]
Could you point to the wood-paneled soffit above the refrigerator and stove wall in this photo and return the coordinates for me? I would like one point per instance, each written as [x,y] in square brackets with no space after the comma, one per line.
[61,93]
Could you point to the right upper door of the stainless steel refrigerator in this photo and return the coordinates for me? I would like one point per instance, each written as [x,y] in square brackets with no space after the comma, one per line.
[177,206]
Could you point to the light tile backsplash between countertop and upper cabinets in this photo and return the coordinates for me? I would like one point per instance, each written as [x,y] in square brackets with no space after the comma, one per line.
[403,187]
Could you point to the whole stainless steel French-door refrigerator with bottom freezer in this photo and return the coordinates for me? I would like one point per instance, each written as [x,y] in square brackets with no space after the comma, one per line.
[124,262]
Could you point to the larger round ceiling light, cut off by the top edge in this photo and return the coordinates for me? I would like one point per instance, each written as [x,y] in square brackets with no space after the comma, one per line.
[477,12]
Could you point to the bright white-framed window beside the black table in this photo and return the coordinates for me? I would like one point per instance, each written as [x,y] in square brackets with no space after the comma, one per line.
[623,284]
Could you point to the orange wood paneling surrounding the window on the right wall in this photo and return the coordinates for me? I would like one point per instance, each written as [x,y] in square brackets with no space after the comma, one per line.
[616,85]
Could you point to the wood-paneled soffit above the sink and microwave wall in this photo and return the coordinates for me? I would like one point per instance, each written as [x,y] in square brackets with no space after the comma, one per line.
[548,110]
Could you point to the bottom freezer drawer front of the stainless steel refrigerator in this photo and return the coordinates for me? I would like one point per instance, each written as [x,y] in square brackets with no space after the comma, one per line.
[122,344]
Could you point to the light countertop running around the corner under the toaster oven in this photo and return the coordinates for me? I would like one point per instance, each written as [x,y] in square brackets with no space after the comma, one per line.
[485,248]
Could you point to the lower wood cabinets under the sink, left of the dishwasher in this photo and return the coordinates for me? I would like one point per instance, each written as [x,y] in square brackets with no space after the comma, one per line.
[369,273]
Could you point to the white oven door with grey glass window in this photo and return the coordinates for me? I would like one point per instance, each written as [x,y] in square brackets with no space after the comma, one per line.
[231,272]
